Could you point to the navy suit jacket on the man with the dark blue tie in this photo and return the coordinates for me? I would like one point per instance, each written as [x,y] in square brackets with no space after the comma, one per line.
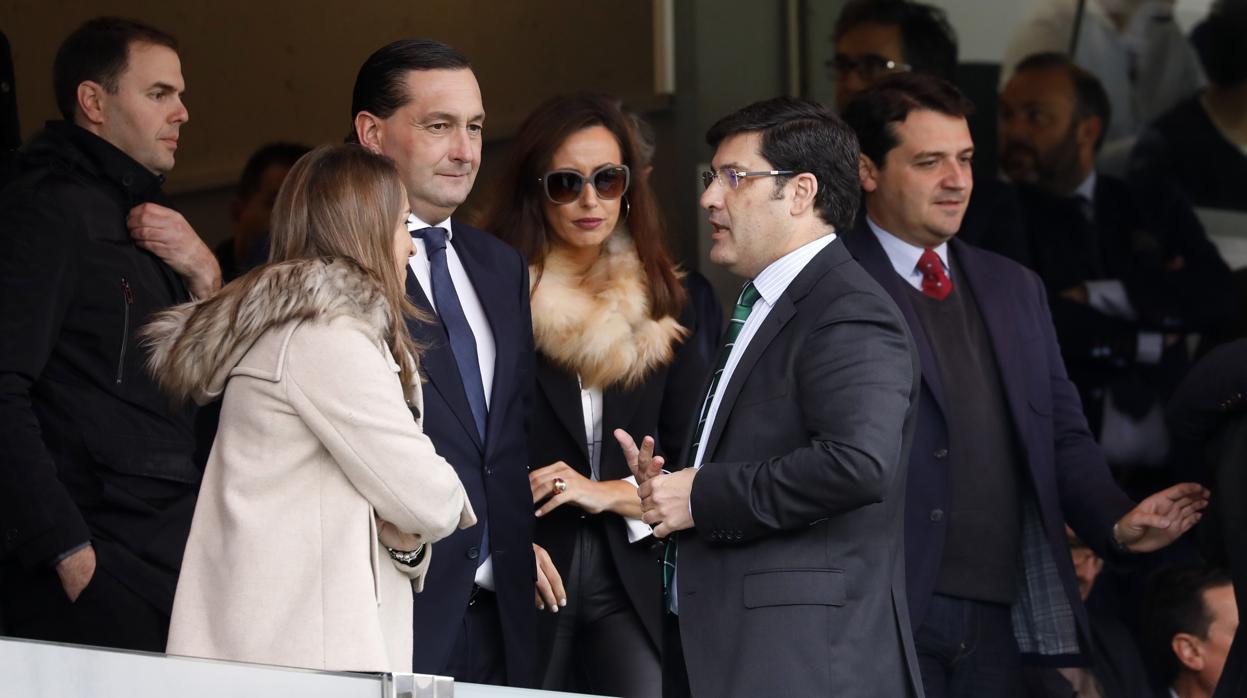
[496,473]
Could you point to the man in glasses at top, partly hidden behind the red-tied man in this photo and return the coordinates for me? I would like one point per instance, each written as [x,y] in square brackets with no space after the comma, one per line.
[880,38]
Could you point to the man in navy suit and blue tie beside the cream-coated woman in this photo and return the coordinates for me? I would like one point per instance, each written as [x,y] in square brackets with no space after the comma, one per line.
[418,103]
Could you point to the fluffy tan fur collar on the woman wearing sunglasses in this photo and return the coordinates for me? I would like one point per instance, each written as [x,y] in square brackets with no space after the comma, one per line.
[599,325]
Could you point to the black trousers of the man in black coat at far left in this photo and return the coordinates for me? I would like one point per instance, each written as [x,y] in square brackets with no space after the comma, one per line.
[108,614]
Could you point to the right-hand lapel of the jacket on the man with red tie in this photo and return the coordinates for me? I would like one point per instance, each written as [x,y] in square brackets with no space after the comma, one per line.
[999,315]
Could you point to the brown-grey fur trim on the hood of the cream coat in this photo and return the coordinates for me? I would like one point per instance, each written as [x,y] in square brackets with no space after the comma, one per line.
[195,346]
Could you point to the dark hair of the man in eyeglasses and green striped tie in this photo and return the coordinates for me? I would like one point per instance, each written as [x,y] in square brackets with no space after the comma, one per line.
[804,136]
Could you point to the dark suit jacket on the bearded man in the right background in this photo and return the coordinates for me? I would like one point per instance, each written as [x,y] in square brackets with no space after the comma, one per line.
[1149,239]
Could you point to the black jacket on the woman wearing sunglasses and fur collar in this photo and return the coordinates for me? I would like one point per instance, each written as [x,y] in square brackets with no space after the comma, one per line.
[664,406]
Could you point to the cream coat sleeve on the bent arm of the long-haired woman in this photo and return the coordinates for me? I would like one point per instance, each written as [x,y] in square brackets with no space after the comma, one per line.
[339,382]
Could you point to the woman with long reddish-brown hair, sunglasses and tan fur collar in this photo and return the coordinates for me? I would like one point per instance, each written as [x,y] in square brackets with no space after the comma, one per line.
[612,325]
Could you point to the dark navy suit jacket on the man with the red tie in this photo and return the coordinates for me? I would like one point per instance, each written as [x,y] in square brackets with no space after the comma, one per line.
[1066,472]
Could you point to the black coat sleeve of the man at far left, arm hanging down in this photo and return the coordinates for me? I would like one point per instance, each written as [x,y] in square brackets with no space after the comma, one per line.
[38,275]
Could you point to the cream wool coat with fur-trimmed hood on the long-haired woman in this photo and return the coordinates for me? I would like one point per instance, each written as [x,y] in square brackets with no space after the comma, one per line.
[284,565]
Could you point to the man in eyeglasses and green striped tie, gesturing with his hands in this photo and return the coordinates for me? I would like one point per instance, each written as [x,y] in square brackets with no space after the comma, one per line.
[787,574]
